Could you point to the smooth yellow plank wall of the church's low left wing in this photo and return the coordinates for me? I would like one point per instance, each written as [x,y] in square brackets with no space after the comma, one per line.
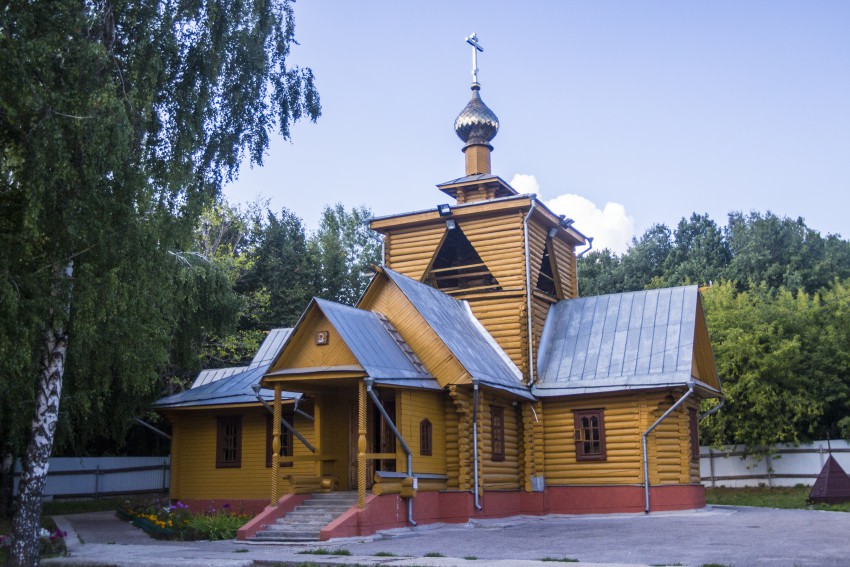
[194,474]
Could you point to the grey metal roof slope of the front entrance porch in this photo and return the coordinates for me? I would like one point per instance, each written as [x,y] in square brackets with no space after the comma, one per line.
[377,346]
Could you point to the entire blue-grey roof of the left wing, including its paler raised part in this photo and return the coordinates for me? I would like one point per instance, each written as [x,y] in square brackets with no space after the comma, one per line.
[226,386]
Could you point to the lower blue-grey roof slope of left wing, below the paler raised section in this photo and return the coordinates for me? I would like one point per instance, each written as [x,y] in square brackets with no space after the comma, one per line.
[236,389]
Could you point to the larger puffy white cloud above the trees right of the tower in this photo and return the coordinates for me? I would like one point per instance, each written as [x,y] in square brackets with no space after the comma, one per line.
[610,226]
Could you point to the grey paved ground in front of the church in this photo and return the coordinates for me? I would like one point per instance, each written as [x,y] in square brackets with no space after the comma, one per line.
[734,536]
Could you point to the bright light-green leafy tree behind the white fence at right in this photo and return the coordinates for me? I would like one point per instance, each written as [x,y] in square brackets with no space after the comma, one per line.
[782,358]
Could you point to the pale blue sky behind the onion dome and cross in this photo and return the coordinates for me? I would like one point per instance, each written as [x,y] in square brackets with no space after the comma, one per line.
[618,114]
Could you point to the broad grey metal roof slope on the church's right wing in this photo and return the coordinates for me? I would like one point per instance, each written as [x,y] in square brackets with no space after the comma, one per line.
[625,341]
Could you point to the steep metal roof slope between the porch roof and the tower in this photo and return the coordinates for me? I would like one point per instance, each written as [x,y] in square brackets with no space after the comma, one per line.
[473,347]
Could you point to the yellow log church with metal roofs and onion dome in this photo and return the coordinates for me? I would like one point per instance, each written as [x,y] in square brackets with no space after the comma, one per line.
[470,380]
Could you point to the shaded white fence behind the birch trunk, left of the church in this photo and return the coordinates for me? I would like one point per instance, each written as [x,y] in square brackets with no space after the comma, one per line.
[99,476]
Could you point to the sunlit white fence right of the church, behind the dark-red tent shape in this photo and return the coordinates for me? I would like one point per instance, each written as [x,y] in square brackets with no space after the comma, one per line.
[789,466]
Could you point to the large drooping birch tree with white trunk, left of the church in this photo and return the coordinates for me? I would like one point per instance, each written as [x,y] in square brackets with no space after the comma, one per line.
[119,122]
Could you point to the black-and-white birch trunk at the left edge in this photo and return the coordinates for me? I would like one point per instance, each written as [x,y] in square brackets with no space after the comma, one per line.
[27,521]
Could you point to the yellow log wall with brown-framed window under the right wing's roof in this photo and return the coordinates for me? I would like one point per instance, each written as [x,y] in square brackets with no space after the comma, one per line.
[626,418]
